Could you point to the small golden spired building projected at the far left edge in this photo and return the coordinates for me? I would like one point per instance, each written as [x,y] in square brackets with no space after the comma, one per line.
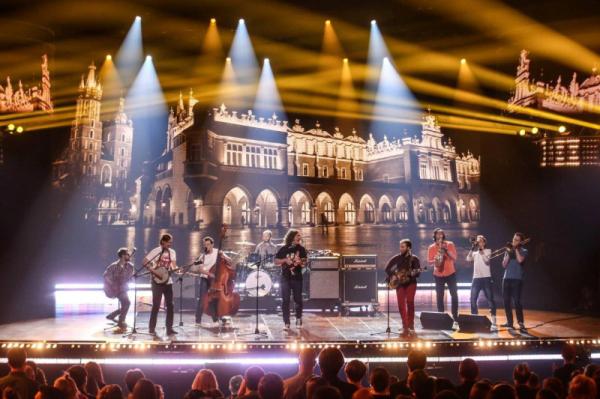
[14,100]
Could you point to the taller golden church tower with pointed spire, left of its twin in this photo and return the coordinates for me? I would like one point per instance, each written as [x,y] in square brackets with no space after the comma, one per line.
[86,131]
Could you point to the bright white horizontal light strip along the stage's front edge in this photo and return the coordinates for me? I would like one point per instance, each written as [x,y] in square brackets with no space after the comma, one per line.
[286,360]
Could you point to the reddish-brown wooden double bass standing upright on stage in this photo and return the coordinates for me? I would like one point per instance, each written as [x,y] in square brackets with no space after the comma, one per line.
[221,299]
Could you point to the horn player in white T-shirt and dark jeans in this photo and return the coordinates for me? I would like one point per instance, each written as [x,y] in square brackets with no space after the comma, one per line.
[482,276]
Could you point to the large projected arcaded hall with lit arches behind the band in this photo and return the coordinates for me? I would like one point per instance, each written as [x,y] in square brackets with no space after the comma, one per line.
[240,169]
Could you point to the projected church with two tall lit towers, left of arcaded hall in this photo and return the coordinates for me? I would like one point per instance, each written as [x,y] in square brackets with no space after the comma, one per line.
[97,162]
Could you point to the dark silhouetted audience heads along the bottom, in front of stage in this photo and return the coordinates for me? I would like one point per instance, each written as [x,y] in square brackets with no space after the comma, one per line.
[27,381]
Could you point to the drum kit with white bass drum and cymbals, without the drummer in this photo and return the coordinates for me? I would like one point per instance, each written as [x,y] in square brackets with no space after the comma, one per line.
[251,272]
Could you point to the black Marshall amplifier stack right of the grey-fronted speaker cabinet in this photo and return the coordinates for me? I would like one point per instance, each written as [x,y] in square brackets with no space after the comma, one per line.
[359,280]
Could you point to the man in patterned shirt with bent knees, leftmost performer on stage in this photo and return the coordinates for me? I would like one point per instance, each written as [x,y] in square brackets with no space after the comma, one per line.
[118,274]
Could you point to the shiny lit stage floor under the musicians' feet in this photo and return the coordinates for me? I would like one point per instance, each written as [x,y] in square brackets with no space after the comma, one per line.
[318,327]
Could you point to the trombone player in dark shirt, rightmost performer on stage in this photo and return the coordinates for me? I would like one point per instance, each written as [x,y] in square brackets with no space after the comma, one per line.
[512,283]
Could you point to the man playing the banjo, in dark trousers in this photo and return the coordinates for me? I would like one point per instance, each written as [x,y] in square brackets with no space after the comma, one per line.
[167,258]
